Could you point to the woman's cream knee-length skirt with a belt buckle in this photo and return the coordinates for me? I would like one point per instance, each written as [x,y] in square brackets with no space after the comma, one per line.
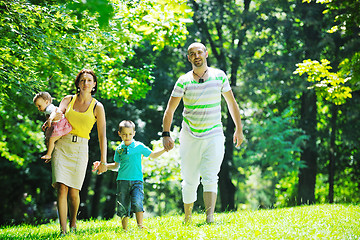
[69,161]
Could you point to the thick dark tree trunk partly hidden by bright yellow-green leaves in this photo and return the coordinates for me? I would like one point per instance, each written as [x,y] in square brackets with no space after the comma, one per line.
[313,18]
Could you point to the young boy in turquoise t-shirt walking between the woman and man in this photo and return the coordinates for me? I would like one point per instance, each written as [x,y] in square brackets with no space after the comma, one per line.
[130,189]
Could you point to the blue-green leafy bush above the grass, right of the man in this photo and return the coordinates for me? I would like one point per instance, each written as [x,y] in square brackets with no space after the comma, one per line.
[271,155]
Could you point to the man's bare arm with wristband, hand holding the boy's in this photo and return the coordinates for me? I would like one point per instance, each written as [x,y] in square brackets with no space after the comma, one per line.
[173,103]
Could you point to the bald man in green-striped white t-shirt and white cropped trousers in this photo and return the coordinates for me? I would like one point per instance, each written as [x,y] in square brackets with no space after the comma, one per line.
[201,137]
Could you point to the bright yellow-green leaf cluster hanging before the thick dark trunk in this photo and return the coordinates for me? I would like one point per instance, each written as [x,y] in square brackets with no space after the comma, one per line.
[329,85]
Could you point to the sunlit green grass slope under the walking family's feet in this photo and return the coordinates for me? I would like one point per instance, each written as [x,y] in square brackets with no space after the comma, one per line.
[306,222]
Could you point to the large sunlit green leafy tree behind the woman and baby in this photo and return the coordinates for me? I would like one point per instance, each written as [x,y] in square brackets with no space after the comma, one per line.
[45,43]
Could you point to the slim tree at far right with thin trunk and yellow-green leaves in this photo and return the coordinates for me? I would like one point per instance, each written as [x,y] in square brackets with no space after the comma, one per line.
[337,86]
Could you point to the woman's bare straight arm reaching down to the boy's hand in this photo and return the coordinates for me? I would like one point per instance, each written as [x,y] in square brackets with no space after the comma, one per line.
[101,128]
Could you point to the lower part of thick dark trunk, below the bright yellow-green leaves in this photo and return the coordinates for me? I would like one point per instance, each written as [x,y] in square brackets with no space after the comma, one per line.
[307,175]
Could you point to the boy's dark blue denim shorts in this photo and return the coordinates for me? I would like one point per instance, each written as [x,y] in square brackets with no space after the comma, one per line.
[130,196]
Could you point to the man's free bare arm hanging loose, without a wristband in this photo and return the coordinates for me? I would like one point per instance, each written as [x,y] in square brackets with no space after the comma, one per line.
[235,114]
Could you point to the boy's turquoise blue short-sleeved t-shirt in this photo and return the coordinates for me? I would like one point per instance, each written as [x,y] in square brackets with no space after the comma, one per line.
[129,158]
